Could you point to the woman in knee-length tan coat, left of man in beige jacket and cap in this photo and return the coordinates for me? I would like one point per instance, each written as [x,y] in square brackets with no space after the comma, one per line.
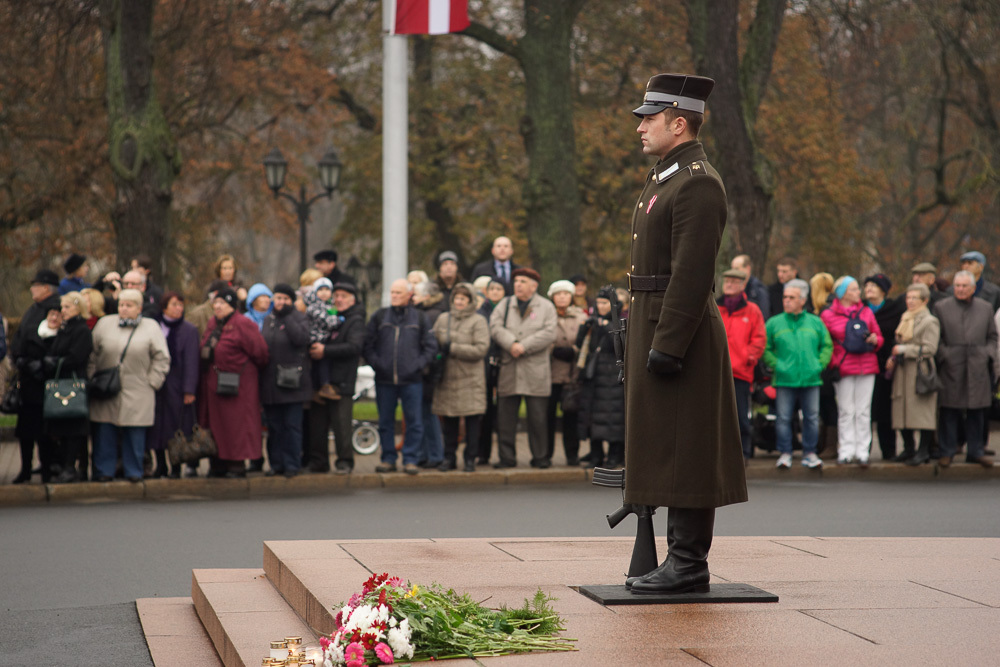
[463,336]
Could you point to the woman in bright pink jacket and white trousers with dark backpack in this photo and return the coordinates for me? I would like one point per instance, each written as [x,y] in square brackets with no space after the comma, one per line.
[856,336]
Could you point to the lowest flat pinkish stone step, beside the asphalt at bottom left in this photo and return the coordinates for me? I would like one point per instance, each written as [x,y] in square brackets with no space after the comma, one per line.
[175,636]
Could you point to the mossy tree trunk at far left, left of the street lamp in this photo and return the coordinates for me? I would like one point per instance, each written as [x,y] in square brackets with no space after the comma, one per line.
[143,154]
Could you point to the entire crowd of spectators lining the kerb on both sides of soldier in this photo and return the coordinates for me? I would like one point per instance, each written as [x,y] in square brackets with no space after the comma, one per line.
[831,356]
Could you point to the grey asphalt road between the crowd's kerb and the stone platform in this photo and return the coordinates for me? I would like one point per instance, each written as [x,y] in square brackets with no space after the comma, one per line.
[71,573]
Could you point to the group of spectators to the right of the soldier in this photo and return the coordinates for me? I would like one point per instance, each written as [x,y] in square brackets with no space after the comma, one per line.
[846,354]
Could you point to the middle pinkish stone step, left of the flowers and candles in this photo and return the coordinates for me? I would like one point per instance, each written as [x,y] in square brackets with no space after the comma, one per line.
[242,613]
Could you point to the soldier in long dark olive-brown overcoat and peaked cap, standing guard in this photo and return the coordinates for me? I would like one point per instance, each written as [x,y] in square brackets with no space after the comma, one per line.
[682,447]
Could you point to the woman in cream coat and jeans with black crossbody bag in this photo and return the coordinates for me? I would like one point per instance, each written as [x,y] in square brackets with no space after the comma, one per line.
[142,370]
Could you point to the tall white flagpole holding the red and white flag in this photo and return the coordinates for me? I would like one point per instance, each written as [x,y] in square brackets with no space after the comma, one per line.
[395,159]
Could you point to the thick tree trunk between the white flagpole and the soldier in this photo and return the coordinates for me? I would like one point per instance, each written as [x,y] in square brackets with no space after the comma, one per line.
[551,189]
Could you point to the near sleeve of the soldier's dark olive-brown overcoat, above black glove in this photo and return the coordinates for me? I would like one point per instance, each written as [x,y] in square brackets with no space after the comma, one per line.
[700,205]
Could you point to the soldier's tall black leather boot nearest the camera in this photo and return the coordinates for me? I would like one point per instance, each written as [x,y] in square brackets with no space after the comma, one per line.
[686,567]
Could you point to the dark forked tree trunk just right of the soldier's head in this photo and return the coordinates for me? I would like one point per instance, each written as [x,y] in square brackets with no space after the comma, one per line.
[739,87]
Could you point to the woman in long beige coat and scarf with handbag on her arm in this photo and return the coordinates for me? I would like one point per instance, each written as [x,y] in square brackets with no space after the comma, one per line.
[917,336]
